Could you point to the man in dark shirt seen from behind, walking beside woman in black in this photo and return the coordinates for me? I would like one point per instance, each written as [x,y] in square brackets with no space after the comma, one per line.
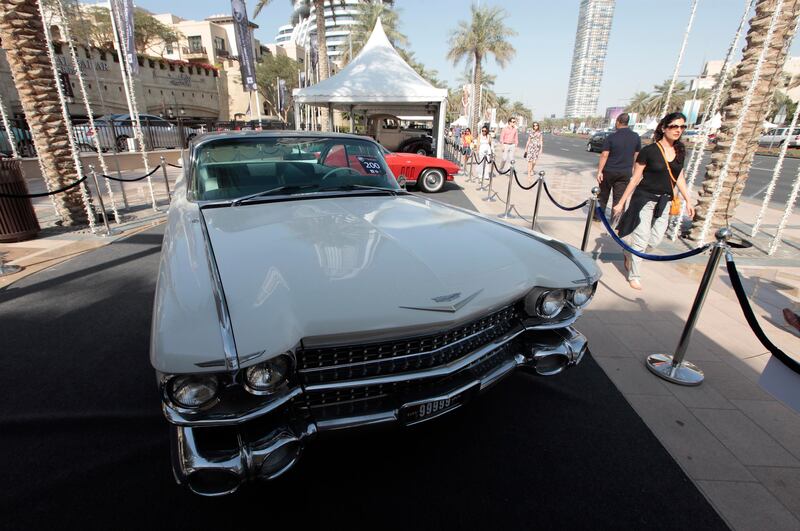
[620,150]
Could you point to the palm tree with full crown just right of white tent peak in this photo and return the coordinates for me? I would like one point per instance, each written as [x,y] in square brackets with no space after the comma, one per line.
[484,34]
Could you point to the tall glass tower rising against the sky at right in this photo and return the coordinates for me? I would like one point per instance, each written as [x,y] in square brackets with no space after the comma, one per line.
[589,57]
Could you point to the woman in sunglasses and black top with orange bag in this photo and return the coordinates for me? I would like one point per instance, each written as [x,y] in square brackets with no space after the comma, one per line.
[658,170]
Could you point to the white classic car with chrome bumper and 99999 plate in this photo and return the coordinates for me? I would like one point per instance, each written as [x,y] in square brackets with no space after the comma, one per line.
[301,289]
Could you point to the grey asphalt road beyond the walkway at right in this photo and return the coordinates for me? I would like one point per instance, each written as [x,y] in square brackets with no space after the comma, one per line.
[760,172]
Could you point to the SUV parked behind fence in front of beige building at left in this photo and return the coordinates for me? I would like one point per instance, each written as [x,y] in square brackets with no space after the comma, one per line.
[114,130]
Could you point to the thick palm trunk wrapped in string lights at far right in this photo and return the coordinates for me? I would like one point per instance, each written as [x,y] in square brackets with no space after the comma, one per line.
[771,72]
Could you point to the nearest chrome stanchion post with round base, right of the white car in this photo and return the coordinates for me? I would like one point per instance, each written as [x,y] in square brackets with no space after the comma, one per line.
[674,368]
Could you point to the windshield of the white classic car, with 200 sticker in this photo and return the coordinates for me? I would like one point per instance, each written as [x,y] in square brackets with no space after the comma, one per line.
[230,168]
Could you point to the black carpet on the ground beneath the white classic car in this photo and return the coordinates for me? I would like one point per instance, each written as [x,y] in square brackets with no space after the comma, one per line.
[84,444]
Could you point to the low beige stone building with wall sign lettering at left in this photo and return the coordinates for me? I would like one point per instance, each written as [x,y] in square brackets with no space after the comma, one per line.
[163,87]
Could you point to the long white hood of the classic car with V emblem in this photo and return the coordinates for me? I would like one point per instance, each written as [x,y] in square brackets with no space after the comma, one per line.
[337,269]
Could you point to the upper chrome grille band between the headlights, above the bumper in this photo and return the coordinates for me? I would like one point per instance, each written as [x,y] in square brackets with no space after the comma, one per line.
[333,364]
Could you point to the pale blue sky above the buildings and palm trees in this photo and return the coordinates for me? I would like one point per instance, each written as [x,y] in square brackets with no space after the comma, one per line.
[643,48]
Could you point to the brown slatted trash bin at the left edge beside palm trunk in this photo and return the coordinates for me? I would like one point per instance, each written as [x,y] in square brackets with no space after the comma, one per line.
[17,219]
